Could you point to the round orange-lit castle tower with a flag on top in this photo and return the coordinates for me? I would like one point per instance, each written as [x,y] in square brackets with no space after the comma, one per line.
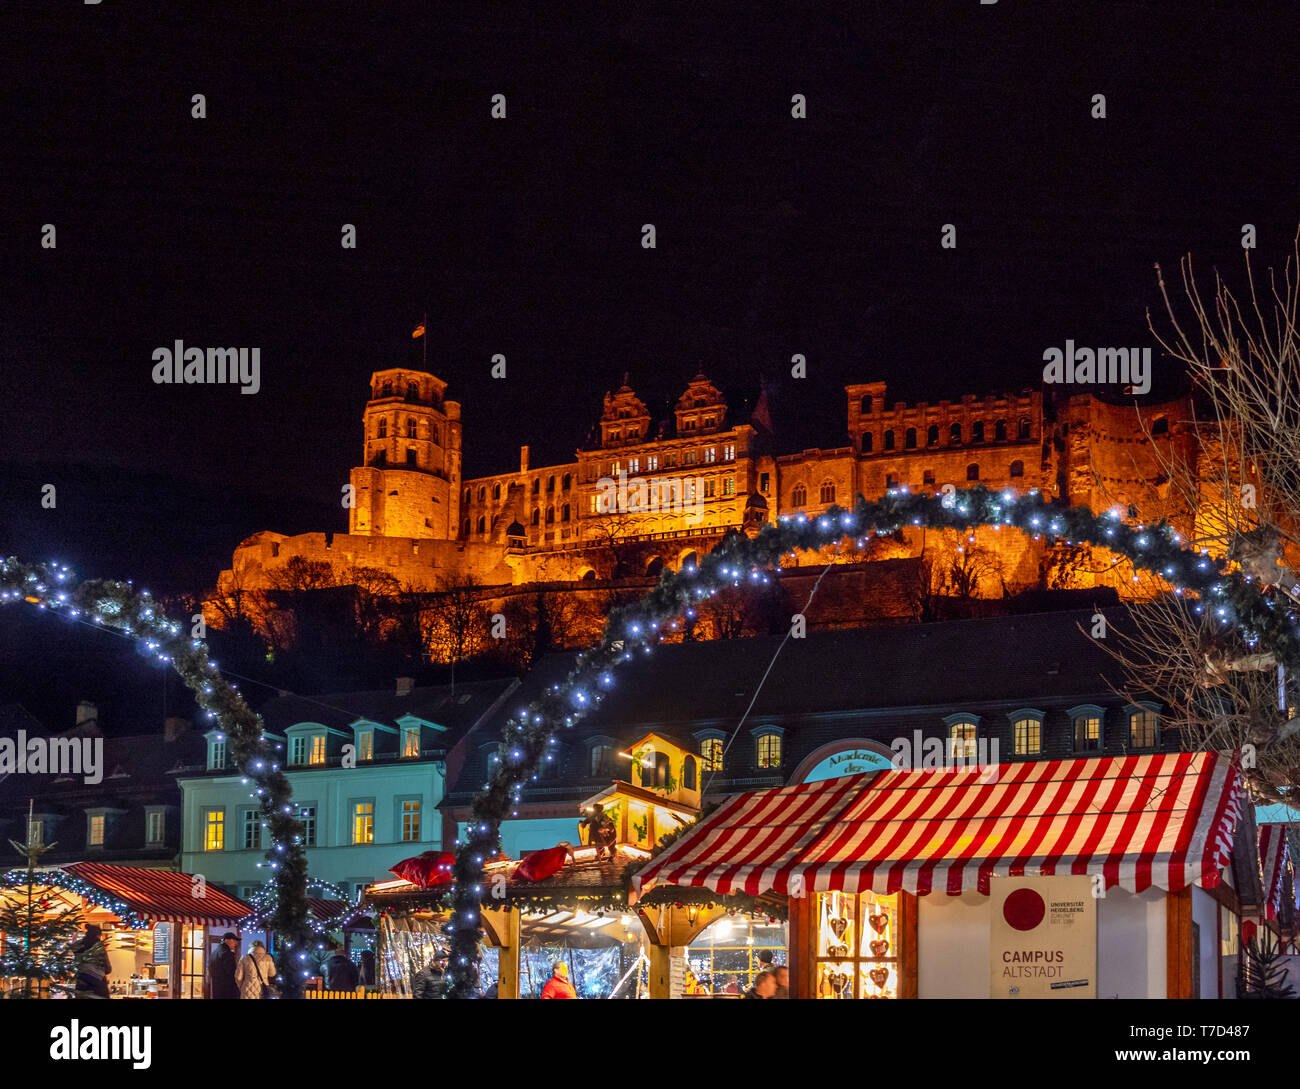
[409,484]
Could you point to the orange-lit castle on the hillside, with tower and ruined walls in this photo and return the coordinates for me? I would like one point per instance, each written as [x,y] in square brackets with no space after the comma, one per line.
[651,494]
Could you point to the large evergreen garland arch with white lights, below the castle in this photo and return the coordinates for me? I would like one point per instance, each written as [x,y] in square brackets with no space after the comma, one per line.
[1263,618]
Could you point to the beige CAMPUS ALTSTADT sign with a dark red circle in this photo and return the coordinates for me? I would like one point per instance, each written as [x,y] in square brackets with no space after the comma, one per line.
[1045,938]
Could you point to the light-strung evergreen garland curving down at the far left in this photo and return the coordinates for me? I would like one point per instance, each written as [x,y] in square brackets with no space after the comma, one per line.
[119,606]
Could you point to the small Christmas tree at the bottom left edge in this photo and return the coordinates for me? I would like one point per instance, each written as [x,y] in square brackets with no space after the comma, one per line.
[40,943]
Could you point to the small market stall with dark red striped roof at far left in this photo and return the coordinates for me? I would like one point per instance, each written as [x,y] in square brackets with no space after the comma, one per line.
[157,925]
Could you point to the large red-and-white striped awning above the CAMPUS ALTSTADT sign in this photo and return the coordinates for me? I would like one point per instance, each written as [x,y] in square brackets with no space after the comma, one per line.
[1160,821]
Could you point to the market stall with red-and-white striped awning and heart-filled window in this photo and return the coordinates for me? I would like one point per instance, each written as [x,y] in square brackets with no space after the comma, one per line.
[1112,877]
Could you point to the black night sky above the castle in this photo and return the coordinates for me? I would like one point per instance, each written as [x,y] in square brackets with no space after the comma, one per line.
[523,236]
